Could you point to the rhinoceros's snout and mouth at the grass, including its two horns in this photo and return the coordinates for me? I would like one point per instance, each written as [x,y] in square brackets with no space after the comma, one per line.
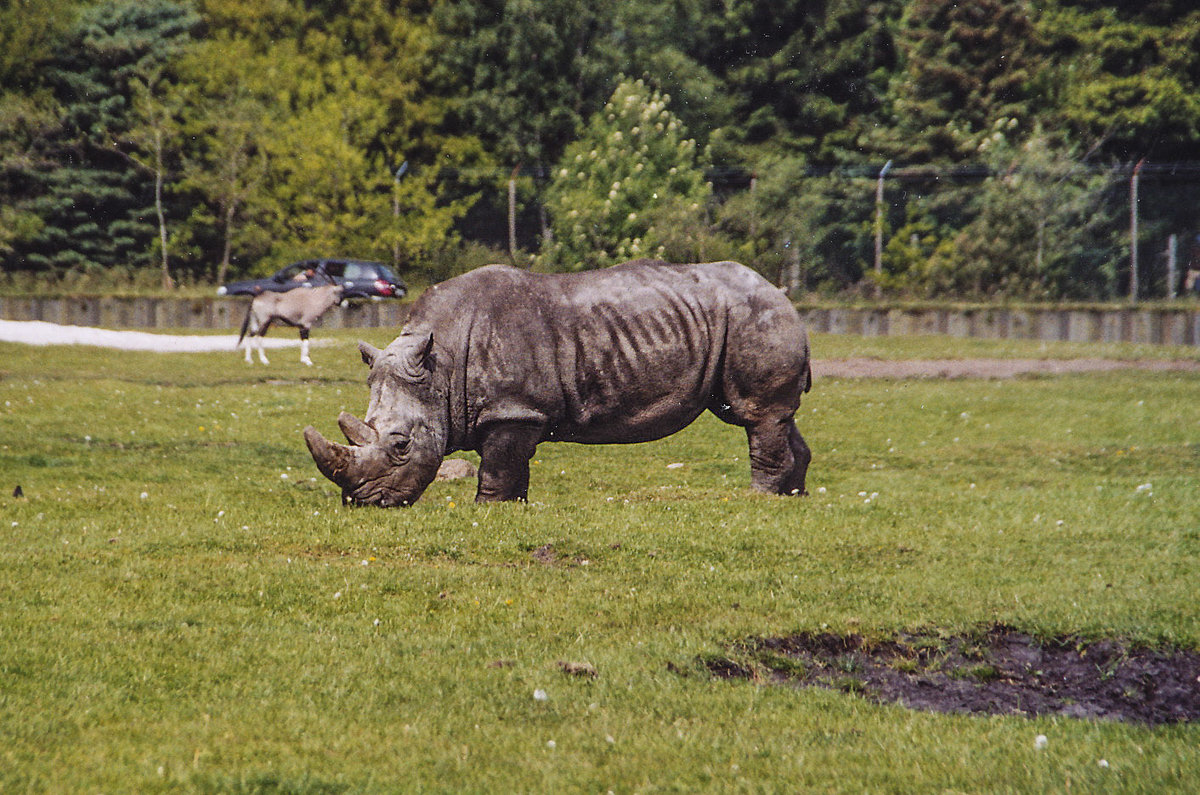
[367,473]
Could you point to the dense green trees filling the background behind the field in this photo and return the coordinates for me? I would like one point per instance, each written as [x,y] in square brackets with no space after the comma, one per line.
[212,139]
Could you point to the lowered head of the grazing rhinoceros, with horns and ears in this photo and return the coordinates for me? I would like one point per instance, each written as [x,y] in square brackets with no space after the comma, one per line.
[394,455]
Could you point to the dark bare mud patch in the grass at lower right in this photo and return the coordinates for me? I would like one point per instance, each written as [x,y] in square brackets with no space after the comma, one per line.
[1000,672]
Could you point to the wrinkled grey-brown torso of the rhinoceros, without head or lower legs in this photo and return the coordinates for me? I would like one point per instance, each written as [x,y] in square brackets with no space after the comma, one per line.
[628,354]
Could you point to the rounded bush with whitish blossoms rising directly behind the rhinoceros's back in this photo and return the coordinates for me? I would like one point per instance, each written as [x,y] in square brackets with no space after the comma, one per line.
[633,169]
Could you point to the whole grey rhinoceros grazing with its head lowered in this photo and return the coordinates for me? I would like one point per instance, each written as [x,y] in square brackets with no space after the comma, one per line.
[501,360]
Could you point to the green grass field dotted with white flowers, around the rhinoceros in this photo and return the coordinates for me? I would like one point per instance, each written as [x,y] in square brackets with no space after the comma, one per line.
[185,606]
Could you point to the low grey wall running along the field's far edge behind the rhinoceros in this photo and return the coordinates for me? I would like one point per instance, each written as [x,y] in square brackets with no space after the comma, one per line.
[1150,326]
